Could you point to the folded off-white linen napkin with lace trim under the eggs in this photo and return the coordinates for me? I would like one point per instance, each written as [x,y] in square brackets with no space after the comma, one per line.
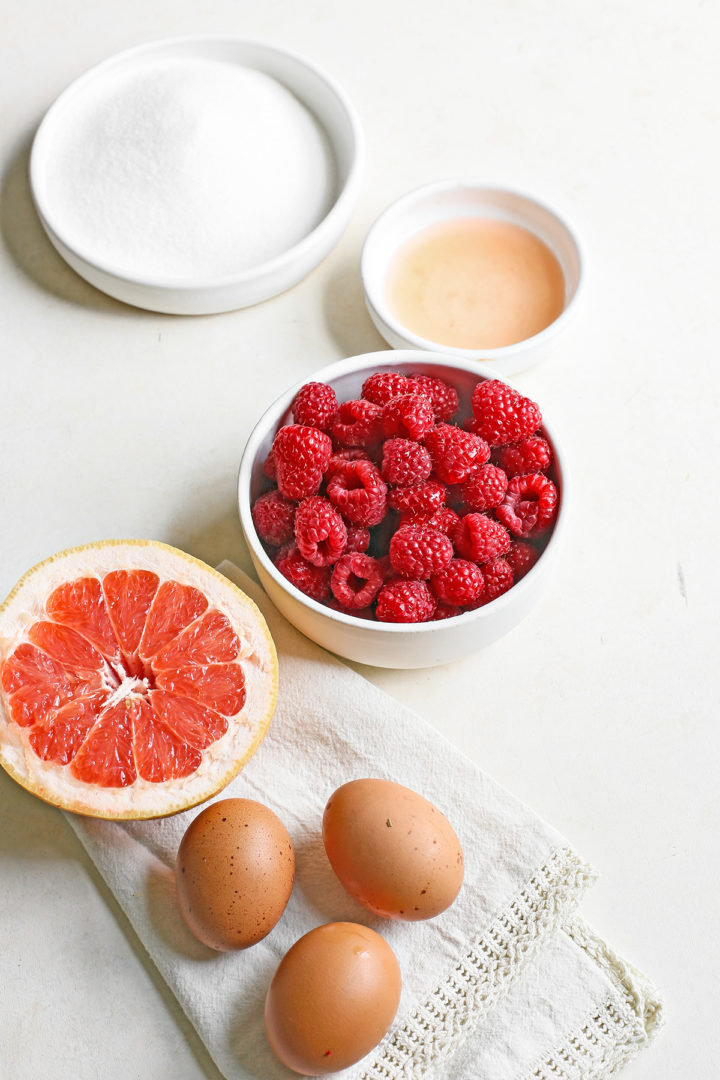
[507,984]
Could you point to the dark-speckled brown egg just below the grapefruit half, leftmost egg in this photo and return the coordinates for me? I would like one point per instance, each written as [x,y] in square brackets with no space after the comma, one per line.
[236,868]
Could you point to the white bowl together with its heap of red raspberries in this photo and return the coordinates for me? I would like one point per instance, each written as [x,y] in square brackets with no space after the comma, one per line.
[403,509]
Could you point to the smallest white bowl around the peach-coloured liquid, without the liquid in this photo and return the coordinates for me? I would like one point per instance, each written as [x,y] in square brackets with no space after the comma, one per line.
[447,200]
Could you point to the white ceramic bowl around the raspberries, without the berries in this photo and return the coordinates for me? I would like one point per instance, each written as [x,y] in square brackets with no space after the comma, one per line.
[390,645]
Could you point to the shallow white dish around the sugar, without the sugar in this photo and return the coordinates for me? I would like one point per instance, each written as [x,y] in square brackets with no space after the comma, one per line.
[321,96]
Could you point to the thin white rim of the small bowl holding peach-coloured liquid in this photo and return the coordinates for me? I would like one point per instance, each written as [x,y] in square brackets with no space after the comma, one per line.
[374,293]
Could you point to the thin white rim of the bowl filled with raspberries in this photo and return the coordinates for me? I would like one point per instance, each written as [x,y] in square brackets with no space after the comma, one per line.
[349,367]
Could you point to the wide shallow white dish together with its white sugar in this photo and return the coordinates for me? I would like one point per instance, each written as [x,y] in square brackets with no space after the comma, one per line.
[198,175]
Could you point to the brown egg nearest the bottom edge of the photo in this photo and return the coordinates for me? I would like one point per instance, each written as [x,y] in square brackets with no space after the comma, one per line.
[333,998]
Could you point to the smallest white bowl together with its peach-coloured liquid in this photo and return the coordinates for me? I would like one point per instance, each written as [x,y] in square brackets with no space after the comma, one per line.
[474,272]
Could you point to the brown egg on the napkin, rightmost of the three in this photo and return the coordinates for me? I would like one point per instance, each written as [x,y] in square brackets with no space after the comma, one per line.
[392,850]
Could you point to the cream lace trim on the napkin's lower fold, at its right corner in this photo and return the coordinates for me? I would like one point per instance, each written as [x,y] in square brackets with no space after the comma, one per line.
[614,1033]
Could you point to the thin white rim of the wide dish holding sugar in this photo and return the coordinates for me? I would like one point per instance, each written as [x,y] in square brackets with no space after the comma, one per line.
[339,209]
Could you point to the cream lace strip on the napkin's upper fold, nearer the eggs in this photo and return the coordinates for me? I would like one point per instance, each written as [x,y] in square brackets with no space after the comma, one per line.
[437,1028]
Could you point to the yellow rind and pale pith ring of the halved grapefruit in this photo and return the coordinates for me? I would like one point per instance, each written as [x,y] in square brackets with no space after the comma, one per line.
[222,761]
